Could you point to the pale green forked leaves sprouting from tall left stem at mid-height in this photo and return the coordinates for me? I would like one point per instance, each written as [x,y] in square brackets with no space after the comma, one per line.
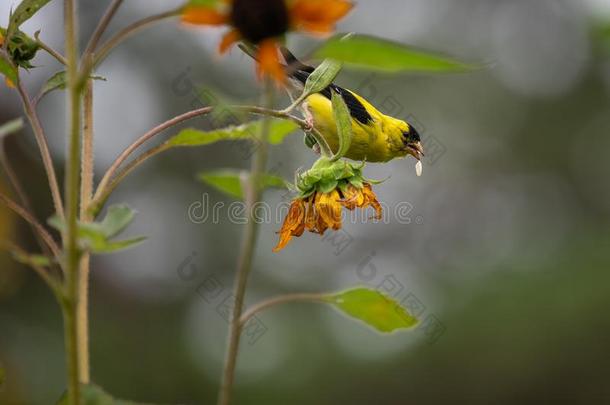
[95,236]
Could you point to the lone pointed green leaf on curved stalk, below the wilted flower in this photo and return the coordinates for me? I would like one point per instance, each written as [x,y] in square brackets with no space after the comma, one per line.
[373,308]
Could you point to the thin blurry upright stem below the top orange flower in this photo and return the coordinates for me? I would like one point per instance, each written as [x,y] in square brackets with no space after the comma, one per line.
[253,193]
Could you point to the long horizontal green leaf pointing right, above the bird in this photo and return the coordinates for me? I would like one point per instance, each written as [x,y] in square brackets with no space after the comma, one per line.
[379,54]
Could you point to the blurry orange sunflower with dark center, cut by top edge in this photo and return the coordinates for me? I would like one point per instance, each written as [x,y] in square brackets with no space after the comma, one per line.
[265,22]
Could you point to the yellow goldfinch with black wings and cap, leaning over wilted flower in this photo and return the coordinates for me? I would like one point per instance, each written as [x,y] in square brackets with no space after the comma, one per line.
[376,137]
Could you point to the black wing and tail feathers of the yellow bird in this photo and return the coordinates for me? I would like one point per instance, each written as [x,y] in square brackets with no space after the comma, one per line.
[300,71]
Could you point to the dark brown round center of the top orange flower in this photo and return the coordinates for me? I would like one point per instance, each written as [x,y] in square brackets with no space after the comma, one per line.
[257,20]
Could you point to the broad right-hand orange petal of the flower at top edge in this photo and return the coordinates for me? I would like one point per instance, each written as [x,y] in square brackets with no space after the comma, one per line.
[318,16]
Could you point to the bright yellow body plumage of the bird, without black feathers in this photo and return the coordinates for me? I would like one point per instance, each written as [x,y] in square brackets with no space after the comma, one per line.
[378,141]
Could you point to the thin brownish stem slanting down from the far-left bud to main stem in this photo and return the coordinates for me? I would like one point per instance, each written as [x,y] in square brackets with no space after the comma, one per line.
[43,146]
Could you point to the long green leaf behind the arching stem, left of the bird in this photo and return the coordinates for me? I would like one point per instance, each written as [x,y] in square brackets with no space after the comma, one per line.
[278,130]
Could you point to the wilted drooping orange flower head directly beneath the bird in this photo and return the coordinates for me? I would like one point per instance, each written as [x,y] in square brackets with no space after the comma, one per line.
[324,191]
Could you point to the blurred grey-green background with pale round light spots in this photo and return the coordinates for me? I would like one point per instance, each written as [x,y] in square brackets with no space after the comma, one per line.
[505,257]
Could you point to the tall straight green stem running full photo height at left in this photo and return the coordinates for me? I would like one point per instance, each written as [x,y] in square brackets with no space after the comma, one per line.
[72,185]
